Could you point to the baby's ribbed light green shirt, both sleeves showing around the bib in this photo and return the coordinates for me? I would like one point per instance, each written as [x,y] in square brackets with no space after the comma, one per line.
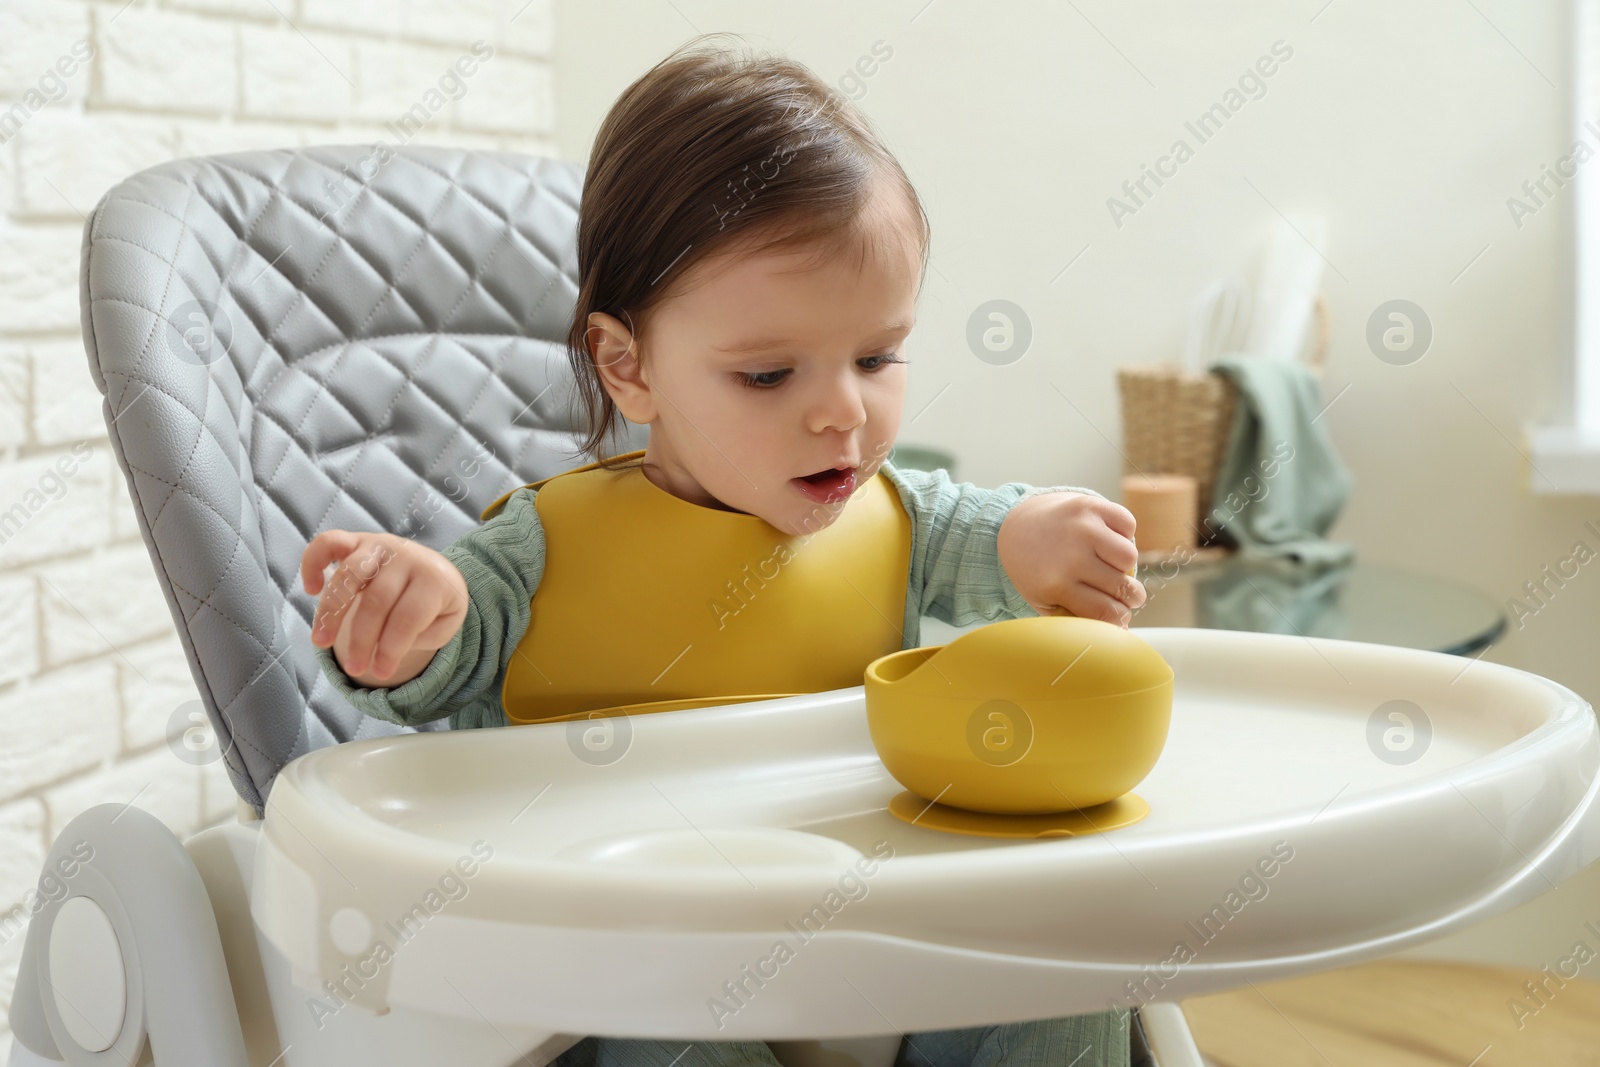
[956,577]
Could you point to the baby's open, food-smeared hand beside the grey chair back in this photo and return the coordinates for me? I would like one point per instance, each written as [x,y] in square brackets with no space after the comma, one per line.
[390,605]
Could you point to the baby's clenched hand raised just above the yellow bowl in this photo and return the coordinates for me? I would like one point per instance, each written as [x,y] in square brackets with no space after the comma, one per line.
[1071,554]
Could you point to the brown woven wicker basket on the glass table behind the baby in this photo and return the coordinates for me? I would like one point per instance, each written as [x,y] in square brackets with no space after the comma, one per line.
[1178,423]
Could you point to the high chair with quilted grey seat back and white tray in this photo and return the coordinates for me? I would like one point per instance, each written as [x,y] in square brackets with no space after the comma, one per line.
[342,337]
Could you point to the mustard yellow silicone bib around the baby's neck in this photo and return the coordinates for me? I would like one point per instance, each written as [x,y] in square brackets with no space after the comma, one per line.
[650,602]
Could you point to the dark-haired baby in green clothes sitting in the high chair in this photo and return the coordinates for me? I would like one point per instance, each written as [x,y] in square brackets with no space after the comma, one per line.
[750,260]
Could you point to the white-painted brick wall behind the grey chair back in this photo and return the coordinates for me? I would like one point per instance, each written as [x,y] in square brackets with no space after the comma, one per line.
[92,92]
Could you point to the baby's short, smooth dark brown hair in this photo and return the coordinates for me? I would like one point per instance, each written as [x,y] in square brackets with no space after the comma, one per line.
[705,150]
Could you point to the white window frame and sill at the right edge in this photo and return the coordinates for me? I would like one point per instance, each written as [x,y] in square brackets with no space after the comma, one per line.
[1567,457]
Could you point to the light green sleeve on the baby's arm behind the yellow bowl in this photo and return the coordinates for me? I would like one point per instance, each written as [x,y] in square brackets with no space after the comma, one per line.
[956,573]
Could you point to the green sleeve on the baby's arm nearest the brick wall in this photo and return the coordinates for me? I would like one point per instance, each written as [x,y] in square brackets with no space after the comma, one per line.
[502,562]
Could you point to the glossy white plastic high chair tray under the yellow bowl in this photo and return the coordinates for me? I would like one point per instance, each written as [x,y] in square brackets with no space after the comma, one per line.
[638,887]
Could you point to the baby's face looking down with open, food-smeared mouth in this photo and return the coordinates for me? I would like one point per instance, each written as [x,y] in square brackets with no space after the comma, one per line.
[759,375]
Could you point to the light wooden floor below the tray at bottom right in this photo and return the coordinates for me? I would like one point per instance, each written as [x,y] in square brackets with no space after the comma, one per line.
[1404,1015]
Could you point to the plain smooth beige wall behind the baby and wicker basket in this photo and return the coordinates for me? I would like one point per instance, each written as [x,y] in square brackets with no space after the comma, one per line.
[1406,127]
